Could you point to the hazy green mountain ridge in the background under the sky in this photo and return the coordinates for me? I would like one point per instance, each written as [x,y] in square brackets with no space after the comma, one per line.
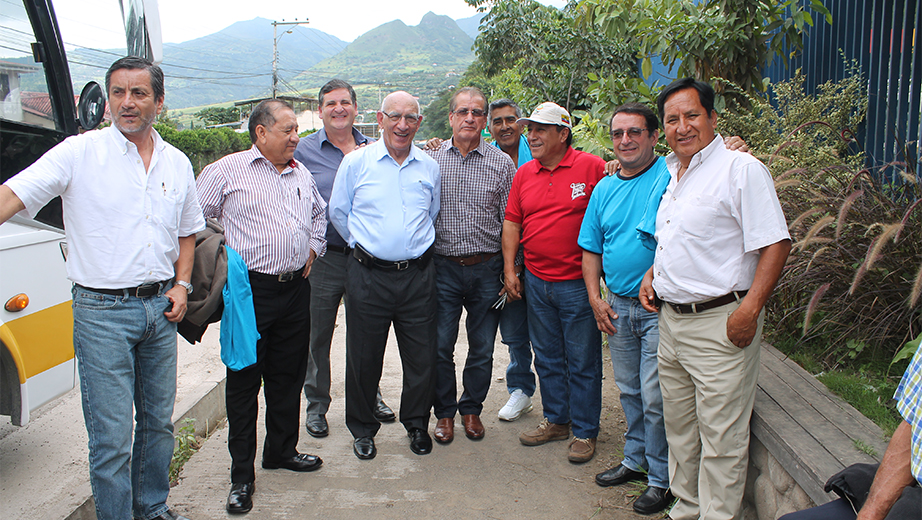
[236,62]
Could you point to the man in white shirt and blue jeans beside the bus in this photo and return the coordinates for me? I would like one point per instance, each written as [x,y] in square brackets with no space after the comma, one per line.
[131,214]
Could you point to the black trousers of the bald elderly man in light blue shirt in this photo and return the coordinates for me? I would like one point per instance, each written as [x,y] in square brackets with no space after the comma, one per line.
[377,299]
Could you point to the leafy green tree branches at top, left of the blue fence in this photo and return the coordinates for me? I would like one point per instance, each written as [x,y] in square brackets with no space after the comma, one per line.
[728,39]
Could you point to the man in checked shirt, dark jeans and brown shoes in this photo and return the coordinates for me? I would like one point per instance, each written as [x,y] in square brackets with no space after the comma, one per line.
[476,178]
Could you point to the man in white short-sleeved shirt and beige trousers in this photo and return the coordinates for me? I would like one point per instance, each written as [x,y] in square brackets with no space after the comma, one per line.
[722,241]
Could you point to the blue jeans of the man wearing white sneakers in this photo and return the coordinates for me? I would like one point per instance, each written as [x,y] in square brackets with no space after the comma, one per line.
[513,328]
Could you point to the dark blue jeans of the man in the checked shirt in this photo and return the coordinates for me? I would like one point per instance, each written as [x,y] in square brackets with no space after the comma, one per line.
[475,288]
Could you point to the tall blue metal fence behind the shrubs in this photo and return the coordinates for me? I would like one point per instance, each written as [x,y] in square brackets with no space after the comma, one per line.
[884,37]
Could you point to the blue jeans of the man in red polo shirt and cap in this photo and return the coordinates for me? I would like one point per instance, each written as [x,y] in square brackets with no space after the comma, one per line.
[568,353]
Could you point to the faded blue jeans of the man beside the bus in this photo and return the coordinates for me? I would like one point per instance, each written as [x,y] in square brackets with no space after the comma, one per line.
[126,355]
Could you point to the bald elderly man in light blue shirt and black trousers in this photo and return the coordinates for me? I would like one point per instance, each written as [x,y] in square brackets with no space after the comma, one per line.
[384,203]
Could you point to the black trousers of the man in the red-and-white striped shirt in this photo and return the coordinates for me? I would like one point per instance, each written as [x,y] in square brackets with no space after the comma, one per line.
[283,322]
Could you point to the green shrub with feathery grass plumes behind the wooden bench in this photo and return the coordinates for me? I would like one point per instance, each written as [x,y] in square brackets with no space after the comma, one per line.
[850,289]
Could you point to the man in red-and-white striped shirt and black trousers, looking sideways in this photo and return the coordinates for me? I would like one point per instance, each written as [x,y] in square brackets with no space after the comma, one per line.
[273,216]
